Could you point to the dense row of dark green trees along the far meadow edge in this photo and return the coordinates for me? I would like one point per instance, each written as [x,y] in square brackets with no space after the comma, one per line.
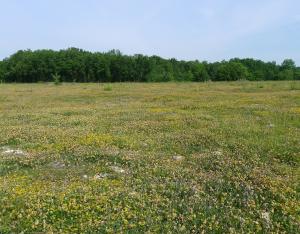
[76,65]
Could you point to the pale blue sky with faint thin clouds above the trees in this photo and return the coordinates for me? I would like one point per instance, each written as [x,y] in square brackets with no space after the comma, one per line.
[210,30]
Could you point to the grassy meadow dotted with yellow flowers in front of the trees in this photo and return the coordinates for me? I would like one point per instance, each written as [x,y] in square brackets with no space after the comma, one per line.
[157,158]
